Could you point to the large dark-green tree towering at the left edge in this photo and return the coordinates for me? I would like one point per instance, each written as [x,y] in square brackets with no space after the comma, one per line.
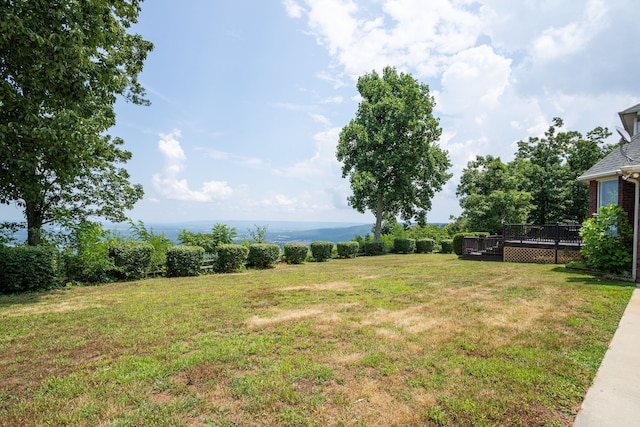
[62,65]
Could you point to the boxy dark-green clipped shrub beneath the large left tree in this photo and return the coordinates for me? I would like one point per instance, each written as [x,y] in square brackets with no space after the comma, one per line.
[27,269]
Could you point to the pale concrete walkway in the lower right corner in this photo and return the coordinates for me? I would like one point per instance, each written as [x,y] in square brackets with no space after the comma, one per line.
[614,396]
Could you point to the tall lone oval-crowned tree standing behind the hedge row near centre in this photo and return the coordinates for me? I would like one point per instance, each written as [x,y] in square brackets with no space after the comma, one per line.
[389,151]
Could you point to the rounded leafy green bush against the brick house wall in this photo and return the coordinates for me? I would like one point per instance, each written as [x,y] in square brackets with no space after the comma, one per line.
[607,238]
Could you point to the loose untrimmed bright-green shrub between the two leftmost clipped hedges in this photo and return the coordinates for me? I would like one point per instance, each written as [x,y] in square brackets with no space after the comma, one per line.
[87,260]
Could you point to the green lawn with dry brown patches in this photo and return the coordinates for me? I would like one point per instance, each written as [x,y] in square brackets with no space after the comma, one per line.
[392,340]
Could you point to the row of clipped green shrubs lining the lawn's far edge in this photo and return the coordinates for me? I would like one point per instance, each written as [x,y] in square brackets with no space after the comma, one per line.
[36,268]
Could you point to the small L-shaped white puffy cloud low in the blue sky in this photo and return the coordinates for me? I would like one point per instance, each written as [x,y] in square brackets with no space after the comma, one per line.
[169,184]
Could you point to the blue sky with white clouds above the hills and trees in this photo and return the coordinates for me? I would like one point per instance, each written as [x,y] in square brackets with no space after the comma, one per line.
[248,97]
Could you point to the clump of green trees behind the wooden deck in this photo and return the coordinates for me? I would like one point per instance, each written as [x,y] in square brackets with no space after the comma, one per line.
[539,186]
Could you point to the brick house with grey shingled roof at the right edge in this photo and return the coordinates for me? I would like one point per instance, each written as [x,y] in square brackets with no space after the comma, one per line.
[616,178]
